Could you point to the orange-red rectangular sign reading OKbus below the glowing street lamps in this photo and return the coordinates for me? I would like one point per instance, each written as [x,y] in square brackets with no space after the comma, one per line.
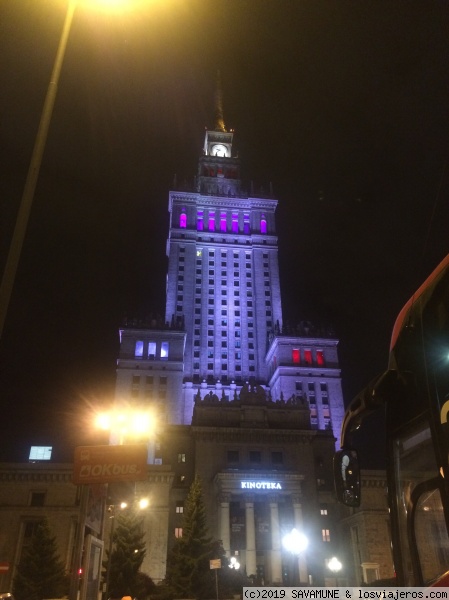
[106,464]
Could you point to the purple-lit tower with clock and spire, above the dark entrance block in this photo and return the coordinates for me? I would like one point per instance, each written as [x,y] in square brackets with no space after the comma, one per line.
[223,324]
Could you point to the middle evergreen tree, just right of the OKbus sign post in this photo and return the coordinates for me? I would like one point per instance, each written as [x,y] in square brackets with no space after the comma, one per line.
[128,552]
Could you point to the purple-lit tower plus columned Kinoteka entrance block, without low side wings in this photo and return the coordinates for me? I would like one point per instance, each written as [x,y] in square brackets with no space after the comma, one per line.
[251,406]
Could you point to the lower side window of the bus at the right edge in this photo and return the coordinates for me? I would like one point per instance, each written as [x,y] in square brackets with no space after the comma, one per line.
[423,536]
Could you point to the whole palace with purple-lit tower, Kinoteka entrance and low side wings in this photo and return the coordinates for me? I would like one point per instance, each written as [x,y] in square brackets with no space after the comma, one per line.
[250,406]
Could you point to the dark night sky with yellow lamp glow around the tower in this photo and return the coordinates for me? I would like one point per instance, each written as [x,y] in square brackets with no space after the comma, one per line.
[342,105]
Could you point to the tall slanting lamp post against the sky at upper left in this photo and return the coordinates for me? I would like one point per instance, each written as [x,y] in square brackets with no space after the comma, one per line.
[23,214]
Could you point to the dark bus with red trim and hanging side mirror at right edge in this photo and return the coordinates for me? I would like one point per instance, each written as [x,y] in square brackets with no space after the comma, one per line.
[413,395]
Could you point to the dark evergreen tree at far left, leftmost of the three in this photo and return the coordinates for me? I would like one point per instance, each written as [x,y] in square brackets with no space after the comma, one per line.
[40,573]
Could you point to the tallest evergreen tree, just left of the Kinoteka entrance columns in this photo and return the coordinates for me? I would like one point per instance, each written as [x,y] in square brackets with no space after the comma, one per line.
[188,568]
